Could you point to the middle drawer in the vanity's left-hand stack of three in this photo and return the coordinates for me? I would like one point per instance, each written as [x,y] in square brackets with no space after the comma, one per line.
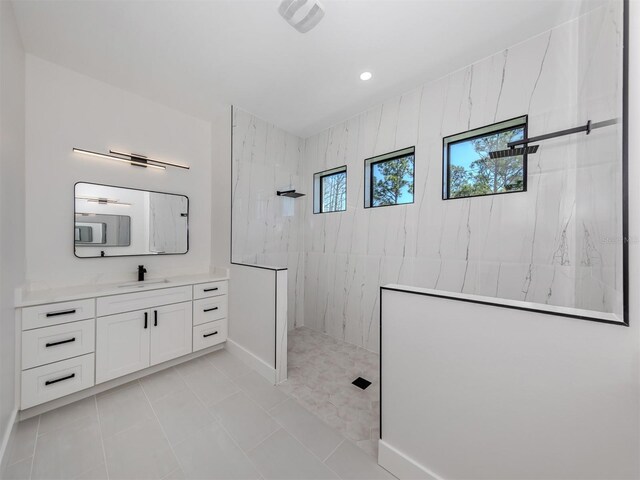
[51,344]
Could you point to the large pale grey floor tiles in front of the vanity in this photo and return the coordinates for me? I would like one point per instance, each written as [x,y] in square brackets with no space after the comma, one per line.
[210,418]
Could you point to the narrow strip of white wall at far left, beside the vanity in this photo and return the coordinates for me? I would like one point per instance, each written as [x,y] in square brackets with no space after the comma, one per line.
[12,210]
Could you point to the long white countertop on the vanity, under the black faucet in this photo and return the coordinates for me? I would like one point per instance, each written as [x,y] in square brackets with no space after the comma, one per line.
[27,298]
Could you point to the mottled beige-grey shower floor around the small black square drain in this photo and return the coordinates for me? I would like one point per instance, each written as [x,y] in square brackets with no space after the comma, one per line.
[321,369]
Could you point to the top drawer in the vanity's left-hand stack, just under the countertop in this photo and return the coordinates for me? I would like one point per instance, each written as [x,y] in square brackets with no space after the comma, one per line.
[57,313]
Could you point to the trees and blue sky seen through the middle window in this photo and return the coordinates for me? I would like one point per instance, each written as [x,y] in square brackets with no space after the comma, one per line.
[391,179]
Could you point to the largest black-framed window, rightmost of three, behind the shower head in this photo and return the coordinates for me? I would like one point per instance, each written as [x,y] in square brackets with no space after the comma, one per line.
[469,170]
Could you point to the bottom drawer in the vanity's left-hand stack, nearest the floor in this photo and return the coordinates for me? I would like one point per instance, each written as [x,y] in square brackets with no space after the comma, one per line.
[42,384]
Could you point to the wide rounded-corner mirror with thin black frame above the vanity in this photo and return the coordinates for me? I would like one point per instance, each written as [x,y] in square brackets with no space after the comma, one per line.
[116,221]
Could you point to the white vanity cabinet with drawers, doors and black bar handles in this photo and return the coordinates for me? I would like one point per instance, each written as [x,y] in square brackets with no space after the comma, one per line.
[73,345]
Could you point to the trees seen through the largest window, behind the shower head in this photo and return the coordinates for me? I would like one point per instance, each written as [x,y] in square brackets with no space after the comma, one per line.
[488,175]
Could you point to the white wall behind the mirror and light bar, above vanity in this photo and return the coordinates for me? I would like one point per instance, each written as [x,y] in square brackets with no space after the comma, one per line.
[66,110]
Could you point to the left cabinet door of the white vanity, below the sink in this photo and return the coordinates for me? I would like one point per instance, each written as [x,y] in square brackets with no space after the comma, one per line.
[122,344]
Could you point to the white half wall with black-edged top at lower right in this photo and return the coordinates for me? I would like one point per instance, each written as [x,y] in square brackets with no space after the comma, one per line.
[475,391]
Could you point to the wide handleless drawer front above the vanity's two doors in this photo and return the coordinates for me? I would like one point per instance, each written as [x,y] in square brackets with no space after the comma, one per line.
[128,302]
